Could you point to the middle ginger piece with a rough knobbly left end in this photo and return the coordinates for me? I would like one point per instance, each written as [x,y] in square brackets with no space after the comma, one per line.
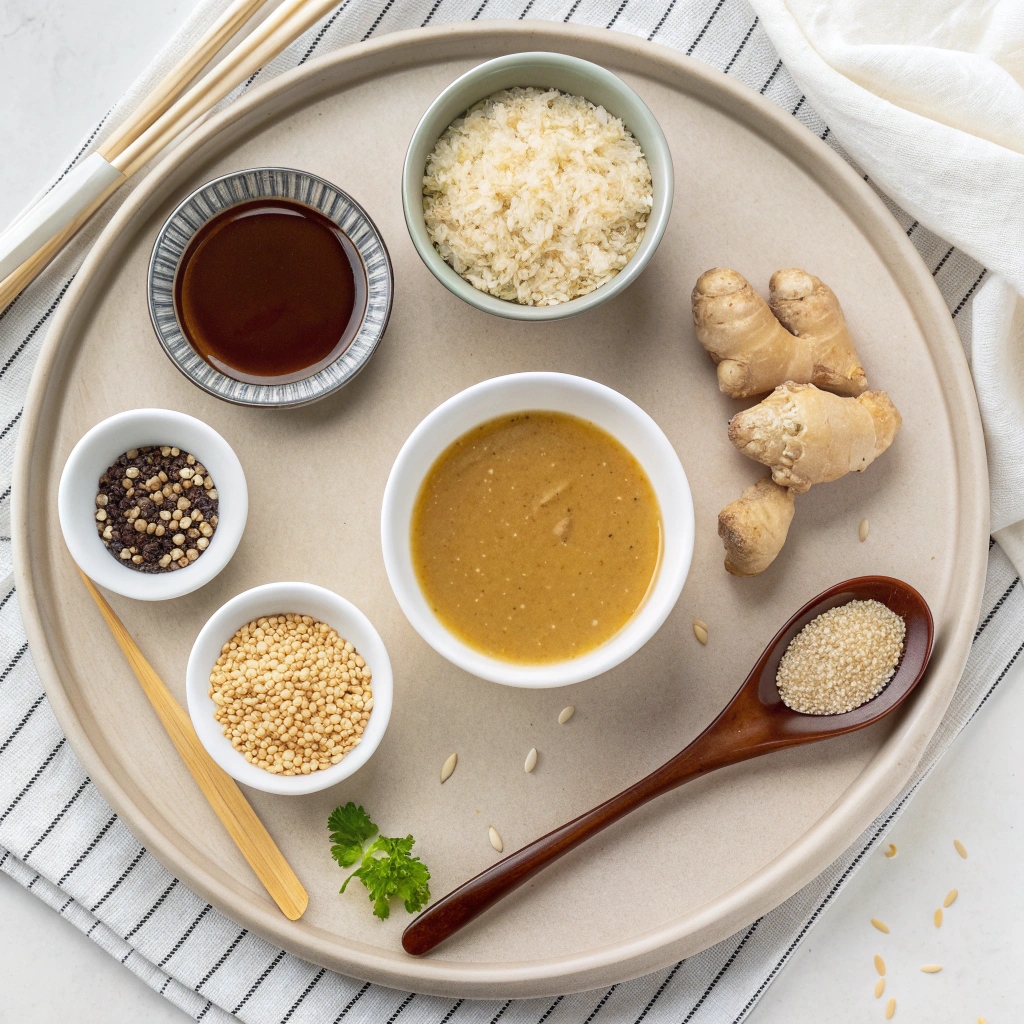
[808,437]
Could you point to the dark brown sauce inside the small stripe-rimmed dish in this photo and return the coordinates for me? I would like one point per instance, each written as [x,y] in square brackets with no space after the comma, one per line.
[270,291]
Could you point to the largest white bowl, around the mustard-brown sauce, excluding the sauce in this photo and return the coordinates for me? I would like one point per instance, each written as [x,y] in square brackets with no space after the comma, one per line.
[521,393]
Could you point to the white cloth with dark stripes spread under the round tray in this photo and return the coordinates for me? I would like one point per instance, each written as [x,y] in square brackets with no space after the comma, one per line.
[61,839]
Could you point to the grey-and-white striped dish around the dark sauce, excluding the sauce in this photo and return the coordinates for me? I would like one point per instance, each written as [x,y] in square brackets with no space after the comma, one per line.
[271,183]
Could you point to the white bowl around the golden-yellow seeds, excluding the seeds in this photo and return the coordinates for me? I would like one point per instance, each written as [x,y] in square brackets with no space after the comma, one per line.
[272,600]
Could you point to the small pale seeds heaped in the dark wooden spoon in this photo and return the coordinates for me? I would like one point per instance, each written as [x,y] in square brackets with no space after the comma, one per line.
[842,659]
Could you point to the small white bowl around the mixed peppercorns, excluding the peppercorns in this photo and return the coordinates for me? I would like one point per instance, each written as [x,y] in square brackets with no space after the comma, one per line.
[95,454]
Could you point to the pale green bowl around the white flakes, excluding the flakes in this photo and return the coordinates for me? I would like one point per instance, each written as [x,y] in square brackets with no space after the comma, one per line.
[541,70]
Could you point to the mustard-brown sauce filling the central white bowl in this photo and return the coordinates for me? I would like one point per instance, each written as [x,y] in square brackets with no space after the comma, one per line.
[536,537]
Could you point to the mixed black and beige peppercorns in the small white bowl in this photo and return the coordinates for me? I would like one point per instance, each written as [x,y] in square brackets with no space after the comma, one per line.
[131,519]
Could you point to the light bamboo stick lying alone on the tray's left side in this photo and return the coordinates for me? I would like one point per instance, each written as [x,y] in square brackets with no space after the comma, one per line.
[220,789]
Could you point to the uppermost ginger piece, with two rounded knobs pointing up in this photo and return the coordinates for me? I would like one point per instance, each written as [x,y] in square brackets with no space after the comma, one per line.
[808,344]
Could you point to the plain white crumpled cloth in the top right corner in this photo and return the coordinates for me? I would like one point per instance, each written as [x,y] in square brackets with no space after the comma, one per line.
[928,98]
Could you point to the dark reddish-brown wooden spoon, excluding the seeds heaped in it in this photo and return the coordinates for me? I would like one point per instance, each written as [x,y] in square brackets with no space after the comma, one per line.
[755,722]
